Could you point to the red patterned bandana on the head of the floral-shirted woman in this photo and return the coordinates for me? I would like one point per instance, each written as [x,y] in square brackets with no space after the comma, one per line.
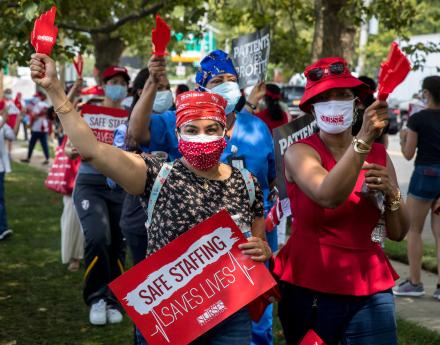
[197,105]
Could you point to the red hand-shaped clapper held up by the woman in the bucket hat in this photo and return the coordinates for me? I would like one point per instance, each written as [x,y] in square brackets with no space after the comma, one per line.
[392,72]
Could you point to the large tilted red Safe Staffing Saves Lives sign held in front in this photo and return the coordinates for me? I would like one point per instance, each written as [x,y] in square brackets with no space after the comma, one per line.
[192,284]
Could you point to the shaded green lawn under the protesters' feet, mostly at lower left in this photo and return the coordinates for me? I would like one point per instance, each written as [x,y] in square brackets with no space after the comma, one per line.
[40,301]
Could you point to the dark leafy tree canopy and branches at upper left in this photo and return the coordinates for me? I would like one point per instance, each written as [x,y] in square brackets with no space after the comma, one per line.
[105,27]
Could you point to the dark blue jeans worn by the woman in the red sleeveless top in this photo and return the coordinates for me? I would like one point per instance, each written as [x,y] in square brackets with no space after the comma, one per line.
[337,319]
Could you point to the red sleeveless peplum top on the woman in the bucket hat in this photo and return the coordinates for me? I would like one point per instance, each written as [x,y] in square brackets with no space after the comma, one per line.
[330,250]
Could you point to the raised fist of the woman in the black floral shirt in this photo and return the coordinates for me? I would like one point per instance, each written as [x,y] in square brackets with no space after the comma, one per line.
[43,71]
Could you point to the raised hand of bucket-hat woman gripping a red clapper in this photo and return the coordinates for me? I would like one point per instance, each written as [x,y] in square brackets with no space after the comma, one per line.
[375,120]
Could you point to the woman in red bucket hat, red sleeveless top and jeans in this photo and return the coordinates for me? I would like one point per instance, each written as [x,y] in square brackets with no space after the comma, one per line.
[343,191]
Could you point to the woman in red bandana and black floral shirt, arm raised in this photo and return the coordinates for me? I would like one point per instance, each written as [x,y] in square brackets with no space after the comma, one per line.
[197,186]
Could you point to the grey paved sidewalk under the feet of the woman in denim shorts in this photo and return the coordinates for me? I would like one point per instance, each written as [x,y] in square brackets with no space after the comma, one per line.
[422,310]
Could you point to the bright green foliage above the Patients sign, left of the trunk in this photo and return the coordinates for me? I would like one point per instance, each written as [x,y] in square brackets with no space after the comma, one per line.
[290,23]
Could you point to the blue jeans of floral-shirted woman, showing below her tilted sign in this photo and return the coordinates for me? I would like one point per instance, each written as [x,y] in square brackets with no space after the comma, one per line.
[235,330]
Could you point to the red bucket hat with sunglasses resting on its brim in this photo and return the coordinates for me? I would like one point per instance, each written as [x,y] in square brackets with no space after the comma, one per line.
[326,74]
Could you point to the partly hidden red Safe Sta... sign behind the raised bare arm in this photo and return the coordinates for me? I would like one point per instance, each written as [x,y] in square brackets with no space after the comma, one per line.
[103,121]
